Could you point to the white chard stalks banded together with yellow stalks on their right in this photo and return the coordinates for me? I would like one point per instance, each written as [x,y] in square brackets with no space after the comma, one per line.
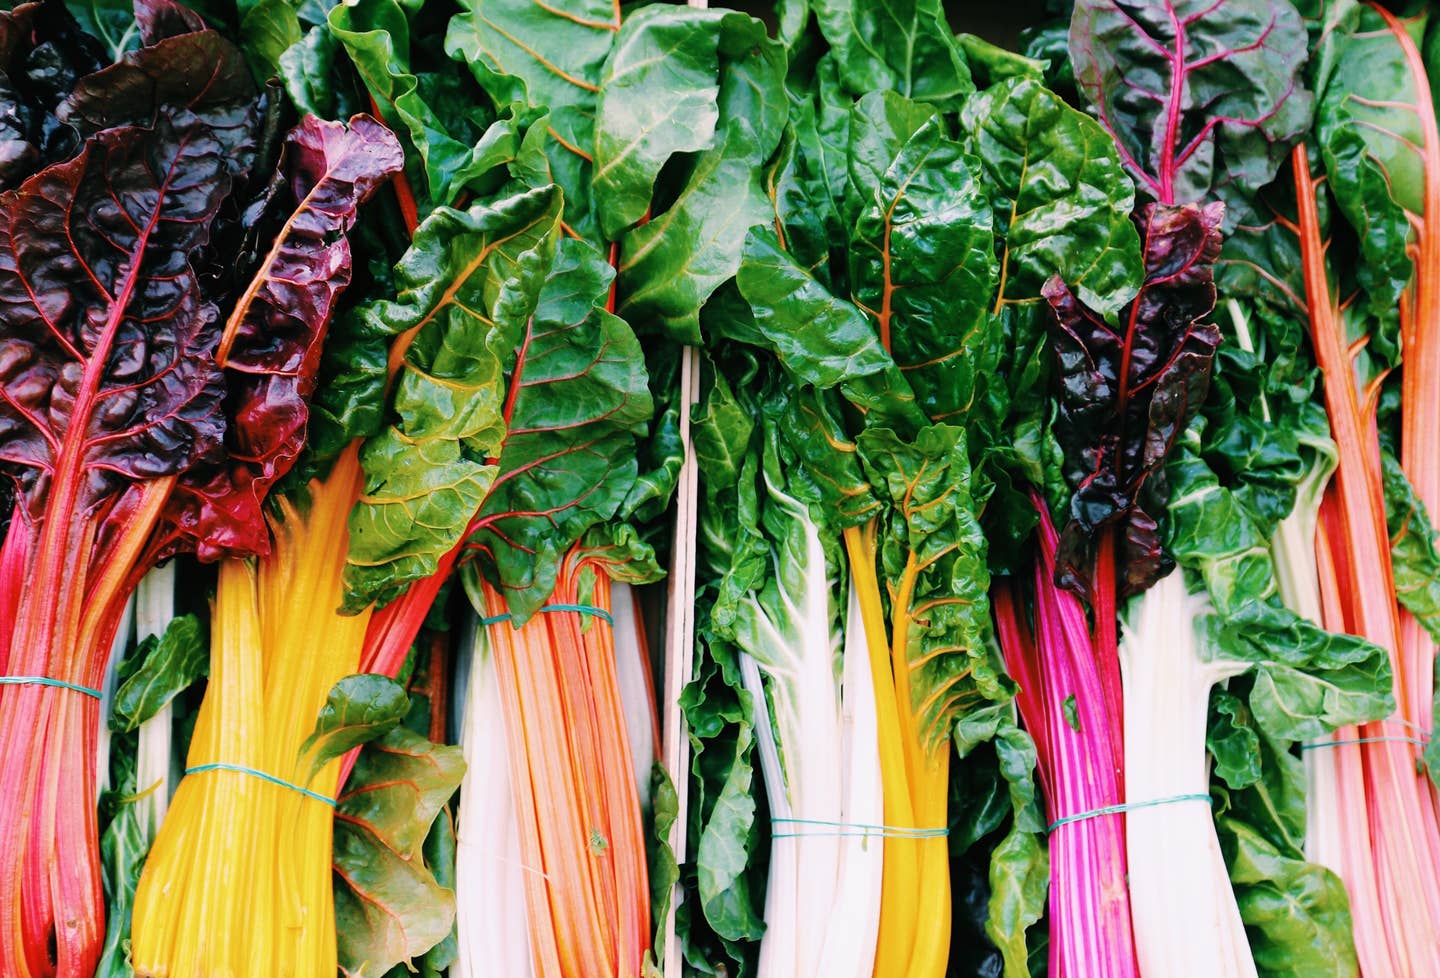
[819,745]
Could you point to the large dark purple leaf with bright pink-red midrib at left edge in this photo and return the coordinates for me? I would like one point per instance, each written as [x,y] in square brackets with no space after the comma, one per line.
[96,270]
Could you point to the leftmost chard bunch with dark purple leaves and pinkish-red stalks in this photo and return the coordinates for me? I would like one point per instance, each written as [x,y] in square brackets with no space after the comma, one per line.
[149,401]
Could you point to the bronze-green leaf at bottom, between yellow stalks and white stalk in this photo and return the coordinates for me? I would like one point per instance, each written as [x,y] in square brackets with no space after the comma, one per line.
[390,907]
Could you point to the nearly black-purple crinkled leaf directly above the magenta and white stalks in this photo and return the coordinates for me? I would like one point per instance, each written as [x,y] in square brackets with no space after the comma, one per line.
[1130,392]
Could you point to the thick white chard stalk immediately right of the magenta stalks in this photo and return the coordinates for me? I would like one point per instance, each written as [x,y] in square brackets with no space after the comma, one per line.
[1187,924]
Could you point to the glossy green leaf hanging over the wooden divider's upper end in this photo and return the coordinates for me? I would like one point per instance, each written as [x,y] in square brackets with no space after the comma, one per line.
[672,264]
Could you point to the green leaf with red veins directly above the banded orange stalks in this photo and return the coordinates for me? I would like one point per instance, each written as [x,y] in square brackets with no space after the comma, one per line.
[578,400]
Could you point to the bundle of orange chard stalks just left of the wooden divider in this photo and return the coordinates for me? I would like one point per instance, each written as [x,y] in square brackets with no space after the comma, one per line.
[575,796]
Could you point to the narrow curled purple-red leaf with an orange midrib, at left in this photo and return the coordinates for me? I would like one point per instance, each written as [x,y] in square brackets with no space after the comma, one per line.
[271,344]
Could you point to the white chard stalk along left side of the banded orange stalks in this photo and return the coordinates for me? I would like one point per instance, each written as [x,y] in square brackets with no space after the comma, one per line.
[490,901]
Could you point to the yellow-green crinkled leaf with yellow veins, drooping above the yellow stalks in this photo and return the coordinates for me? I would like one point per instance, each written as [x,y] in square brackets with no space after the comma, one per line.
[469,286]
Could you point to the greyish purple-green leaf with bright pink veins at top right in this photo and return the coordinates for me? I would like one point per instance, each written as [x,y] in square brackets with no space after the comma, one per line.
[1199,94]
